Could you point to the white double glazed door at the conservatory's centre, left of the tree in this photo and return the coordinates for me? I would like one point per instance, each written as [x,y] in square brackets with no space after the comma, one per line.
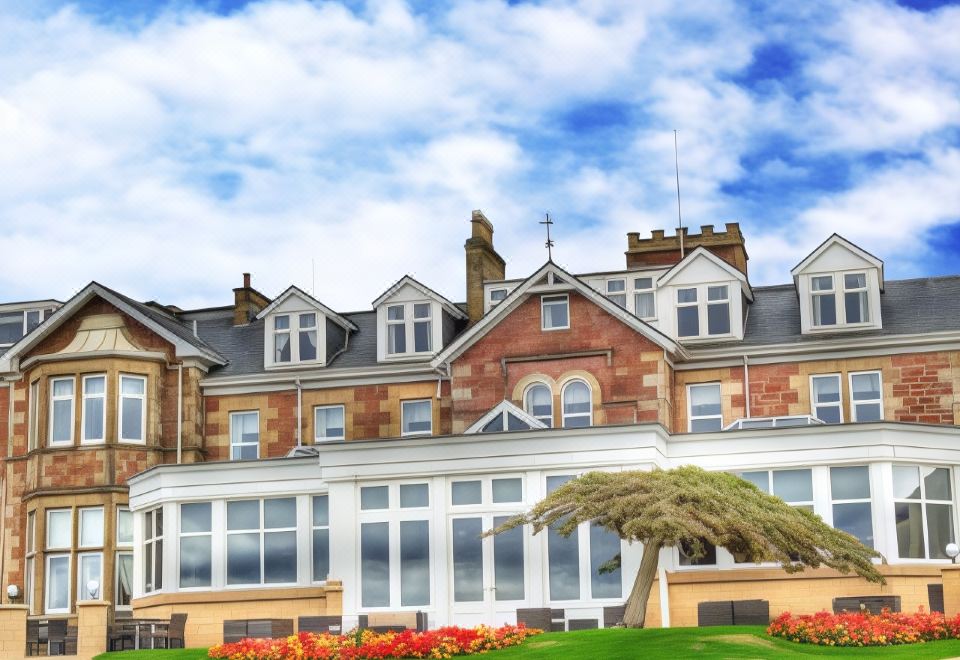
[488,575]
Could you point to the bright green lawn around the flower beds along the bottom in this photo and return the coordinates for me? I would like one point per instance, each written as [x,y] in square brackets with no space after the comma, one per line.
[674,643]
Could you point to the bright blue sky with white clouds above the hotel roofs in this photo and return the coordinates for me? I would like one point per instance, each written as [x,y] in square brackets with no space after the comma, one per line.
[164,148]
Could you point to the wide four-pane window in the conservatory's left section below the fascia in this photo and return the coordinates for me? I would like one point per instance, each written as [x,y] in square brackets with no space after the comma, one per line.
[262,541]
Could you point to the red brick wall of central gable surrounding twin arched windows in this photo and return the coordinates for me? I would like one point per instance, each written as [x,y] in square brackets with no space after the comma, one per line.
[626,396]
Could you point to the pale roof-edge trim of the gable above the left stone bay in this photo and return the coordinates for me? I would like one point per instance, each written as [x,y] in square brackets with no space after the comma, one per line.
[184,343]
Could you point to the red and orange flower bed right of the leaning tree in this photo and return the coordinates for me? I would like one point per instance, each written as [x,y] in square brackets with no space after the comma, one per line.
[863,629]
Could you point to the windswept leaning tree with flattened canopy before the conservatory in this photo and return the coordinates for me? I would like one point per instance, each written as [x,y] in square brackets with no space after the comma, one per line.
[689,507]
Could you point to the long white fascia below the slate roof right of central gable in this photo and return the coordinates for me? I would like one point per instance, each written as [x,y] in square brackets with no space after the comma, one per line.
[826,349]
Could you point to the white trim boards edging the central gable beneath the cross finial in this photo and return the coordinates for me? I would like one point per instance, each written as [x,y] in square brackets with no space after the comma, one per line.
[551,278]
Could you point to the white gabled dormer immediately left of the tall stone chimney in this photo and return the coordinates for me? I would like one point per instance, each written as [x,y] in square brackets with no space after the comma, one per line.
[414,322]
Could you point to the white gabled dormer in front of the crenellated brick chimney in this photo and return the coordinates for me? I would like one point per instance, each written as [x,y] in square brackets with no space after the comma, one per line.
[703,298]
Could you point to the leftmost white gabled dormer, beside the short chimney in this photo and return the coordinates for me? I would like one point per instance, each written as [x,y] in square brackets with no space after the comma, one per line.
[300,331]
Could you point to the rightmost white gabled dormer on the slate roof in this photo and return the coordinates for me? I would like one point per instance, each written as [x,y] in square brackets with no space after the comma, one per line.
[839,286]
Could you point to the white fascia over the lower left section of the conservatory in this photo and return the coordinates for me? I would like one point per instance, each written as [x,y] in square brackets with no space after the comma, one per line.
[191,481]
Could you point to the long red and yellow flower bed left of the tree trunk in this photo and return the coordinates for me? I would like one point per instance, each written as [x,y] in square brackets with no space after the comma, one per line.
[363,644]
